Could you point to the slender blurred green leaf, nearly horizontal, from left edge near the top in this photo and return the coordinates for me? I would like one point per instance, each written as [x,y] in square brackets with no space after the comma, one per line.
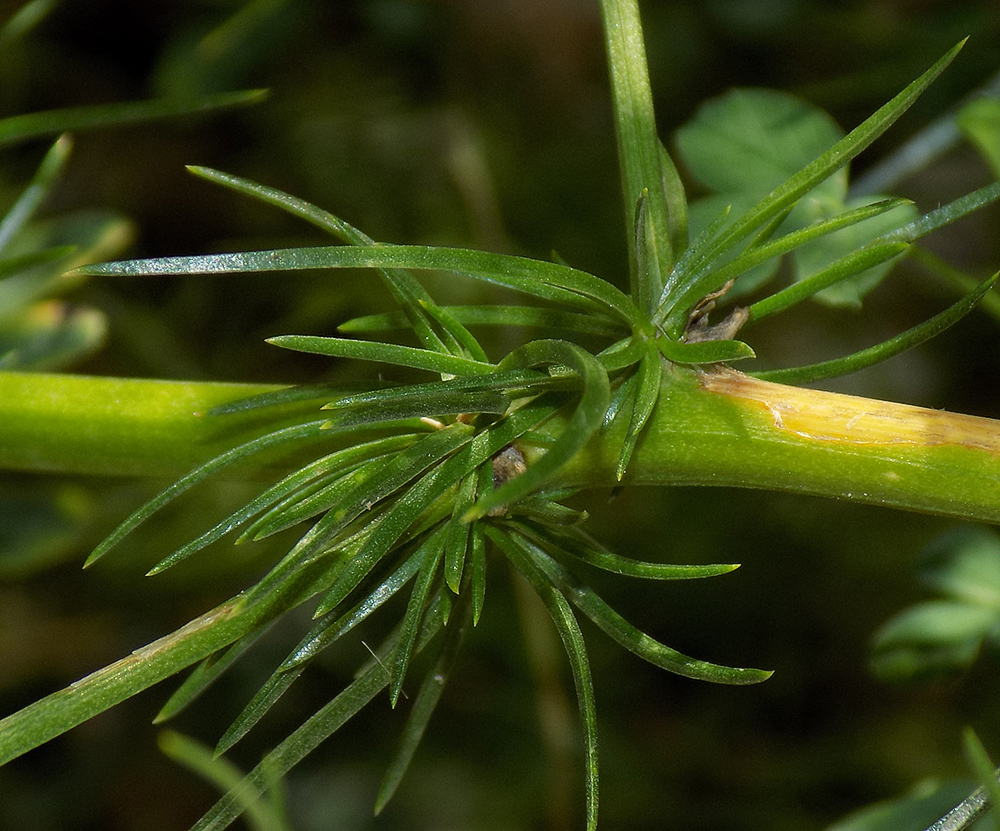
[74,119]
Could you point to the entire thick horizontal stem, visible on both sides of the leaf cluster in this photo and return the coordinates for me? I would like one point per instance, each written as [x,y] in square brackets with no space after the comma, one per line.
[716,428]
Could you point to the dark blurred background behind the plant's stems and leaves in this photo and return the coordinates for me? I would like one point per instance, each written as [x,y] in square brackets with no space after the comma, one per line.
[487,124]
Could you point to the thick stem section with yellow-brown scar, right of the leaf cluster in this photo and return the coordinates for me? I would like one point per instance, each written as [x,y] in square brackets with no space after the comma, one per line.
[726,428]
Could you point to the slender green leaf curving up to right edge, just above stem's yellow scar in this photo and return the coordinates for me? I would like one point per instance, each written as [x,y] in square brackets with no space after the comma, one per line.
[885,350]
